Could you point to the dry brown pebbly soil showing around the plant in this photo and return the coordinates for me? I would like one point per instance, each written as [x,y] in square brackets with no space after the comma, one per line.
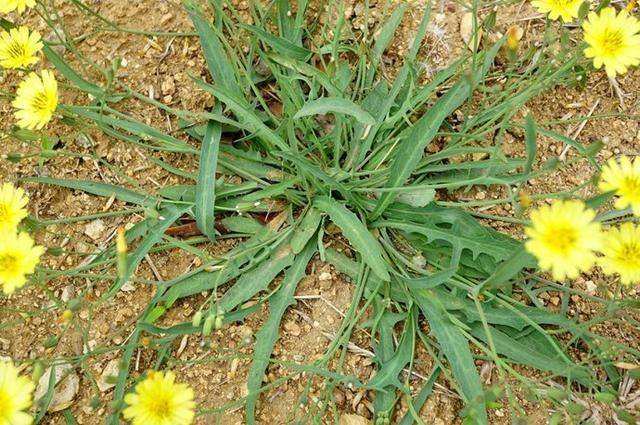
[216,367]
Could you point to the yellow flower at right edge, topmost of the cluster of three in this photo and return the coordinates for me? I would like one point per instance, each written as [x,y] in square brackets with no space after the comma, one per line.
[624,179]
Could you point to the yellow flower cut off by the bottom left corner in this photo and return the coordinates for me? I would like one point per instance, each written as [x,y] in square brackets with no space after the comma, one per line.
[15,396]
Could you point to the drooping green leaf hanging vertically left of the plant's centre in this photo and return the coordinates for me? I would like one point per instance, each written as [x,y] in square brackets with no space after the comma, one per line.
[206,187]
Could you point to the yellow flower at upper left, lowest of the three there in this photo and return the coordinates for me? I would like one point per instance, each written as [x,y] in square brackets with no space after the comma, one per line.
[36,100]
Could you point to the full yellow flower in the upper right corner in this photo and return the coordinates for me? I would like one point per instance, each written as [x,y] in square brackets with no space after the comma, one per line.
[613,40]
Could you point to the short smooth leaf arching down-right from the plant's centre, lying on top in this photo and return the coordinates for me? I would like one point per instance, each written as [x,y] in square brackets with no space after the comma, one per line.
[357,234]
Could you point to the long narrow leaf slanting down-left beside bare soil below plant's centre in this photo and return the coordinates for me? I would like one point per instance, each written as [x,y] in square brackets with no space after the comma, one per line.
[268,334]
